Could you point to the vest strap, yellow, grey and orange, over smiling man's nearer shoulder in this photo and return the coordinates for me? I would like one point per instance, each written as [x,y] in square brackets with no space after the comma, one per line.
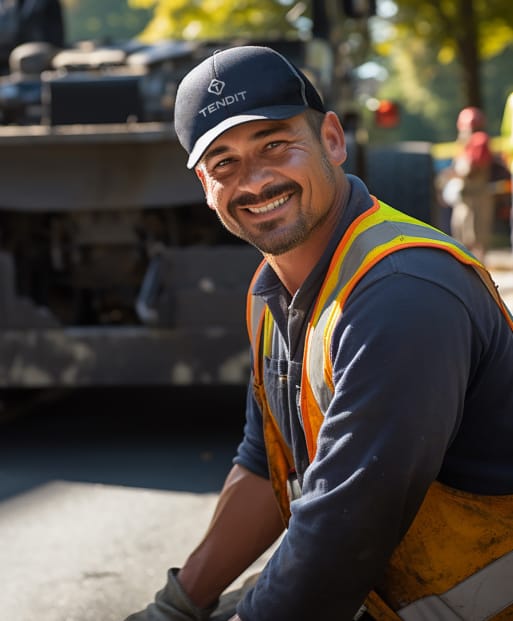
[378,232]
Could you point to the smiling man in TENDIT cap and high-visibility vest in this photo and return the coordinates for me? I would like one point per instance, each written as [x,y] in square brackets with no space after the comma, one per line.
[382,396]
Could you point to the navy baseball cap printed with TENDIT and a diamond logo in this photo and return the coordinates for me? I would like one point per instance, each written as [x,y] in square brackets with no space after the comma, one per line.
[234,86]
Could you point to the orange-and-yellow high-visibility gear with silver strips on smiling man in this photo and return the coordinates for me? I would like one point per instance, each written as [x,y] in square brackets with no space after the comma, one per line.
[455,563]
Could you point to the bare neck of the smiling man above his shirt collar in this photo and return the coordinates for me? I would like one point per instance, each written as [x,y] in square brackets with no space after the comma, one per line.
[293,267]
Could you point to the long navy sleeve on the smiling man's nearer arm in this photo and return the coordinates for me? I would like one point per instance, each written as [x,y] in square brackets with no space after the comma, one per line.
[401,359]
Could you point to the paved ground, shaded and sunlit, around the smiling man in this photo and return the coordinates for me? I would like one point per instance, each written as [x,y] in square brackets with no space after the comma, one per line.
[98,499]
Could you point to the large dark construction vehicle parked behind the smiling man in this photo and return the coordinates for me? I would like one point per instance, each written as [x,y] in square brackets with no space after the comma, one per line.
[112,270]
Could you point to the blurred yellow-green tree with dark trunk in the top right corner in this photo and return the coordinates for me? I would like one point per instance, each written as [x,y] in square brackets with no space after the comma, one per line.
[425,48]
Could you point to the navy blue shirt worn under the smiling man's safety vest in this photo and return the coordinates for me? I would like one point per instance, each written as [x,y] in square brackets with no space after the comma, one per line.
[423,373]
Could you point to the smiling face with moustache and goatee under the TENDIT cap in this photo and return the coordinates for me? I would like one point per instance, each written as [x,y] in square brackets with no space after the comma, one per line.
[272,183]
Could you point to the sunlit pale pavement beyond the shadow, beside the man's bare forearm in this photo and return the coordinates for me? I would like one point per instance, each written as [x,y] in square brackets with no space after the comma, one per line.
[85,552]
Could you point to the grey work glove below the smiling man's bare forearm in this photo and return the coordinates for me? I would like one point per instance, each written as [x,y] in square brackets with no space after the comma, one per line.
[172,604]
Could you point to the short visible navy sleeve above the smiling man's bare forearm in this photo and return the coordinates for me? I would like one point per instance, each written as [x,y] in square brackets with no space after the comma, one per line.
[251,451]
